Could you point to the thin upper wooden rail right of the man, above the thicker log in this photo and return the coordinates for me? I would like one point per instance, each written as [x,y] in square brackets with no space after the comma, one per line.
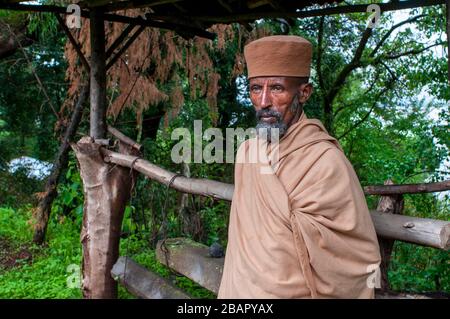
[407,188]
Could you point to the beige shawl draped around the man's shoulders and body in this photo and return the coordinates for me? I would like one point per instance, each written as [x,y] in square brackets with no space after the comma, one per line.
[303,231]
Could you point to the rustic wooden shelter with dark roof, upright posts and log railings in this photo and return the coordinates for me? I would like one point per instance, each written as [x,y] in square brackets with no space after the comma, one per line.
[108,175]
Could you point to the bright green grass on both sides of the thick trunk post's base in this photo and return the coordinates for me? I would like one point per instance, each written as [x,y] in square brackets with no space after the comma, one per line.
[54,270]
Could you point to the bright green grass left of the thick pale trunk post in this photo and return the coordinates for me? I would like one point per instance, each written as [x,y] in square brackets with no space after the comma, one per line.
[47,276]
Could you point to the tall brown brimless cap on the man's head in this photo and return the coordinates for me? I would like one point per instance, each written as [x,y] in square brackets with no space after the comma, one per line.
[279,55]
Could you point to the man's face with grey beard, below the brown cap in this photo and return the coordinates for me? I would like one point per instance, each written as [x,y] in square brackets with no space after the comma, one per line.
[278,101]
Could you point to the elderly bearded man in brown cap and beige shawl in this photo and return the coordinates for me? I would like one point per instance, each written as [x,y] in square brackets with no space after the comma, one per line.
[303,231]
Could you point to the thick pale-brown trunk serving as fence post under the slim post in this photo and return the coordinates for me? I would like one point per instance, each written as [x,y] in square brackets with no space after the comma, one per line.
[106,189]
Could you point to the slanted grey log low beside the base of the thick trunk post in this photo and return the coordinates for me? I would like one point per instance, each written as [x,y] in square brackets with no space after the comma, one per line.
[144,283]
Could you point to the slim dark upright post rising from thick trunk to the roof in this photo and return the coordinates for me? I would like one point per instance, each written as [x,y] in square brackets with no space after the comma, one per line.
[98,75]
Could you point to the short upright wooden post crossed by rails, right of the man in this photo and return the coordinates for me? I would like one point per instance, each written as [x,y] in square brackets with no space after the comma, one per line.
[392,204]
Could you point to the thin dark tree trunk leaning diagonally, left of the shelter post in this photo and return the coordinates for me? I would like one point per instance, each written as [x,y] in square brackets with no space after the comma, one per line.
[59,165]
